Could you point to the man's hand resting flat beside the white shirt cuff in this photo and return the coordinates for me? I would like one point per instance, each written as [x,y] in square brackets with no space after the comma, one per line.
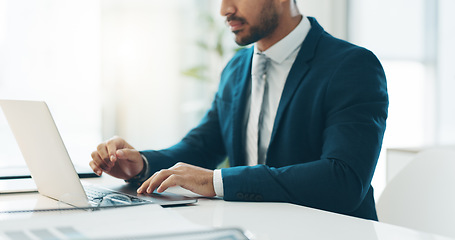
[196,179]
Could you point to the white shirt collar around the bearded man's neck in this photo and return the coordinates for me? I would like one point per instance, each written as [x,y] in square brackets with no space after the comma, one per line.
[281,50]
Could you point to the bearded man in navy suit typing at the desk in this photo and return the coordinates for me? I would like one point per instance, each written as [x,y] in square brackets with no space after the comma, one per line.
[317,135]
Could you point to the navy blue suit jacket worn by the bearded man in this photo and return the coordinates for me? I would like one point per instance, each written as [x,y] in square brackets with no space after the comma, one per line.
[326,137]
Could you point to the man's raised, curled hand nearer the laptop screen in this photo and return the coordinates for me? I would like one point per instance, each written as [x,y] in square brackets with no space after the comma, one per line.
[117,158]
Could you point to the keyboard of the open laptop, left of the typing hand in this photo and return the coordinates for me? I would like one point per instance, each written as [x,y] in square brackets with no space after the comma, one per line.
[98,196]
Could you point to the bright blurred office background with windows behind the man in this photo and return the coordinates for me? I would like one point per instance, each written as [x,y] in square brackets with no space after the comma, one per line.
[147,70]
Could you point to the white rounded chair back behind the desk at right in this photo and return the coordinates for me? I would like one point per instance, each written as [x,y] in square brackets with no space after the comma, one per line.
[422,195]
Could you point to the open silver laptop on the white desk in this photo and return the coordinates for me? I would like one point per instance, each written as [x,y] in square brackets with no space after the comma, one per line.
[52,169]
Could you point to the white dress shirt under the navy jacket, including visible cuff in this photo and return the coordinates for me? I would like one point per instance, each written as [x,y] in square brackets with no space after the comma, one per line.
[282,55]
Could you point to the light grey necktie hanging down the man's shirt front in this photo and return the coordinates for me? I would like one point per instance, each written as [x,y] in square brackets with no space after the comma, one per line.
[258,91]
